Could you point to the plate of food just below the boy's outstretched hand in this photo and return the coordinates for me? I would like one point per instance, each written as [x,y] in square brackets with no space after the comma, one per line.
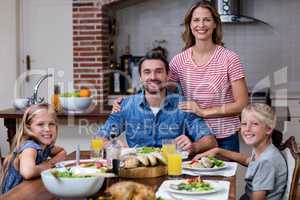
[205,164]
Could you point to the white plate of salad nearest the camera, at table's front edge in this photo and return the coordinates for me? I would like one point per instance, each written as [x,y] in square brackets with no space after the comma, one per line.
[193,186]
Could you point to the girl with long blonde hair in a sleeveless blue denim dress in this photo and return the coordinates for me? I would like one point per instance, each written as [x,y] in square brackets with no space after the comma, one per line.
[32,146]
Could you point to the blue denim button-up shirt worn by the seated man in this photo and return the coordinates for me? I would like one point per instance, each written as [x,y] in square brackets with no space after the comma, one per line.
[143,128]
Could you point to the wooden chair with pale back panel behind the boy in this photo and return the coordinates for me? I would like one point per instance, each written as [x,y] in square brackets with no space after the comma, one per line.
[289,150]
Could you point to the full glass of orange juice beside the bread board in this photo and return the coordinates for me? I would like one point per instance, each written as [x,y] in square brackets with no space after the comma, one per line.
[174,164]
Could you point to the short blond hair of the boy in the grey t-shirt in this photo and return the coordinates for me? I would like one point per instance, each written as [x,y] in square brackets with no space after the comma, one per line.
[264,113]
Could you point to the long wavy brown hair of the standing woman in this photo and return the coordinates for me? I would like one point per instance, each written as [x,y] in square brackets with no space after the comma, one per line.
[188,37]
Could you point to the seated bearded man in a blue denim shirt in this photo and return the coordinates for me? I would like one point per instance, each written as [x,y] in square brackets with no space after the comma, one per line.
[153,115]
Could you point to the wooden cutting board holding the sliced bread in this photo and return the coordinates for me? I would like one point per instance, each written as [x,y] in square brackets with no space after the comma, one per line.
[144,172]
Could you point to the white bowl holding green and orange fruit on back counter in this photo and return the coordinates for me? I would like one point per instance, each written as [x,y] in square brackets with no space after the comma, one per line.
[75,103]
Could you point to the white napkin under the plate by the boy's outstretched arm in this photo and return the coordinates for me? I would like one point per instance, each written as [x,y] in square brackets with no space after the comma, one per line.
[230,170]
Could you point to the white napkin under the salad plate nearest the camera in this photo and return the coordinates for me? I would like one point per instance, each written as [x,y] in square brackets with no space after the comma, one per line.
[221,194]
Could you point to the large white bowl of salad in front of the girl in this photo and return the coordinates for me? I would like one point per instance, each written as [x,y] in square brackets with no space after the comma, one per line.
[74,182]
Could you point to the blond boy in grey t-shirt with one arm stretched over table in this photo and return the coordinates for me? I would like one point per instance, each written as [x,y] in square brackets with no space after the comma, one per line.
[266,175]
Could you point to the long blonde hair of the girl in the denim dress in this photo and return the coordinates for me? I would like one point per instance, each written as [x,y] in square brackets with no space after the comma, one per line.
[24,133]
